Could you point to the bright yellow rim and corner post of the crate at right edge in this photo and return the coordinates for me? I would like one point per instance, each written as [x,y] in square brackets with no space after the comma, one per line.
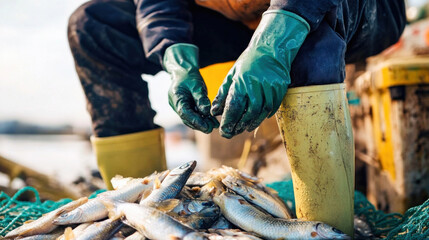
[382,84]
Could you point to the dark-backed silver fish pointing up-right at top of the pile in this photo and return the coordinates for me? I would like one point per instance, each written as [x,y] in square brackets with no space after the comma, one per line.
[172,184]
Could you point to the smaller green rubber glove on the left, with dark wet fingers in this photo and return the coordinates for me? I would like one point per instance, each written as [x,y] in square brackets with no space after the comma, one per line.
[188,92]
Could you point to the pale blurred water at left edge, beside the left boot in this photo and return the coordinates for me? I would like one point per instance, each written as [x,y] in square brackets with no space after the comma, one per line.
[62,156]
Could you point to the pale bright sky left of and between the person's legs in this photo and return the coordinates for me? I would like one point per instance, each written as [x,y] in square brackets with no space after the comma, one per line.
[38,83]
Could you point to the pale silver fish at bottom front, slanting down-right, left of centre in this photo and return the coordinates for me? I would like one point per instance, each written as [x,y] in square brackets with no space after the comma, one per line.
[152,223]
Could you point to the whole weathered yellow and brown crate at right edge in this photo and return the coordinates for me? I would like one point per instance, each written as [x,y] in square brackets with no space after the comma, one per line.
[395,98]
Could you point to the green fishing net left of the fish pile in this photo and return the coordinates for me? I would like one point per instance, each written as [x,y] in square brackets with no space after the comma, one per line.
[13,213]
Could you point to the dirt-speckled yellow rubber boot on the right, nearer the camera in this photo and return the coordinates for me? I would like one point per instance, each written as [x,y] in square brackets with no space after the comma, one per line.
[316,129]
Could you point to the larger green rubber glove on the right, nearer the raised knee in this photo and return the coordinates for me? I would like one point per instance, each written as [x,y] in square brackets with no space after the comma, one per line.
[255,86]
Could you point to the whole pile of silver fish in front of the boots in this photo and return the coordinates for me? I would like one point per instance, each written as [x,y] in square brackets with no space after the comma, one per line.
[222,203]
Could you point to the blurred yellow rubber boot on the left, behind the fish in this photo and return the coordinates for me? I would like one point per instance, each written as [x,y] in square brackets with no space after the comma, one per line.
[130,155]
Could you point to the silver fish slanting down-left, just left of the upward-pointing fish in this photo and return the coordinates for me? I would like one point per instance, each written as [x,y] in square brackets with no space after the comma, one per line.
[94,209]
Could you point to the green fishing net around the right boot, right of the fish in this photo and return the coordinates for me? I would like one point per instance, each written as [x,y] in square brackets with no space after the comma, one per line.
[414,224]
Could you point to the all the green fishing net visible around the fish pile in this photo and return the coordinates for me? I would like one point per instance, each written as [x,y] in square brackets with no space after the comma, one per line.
[414,224]
